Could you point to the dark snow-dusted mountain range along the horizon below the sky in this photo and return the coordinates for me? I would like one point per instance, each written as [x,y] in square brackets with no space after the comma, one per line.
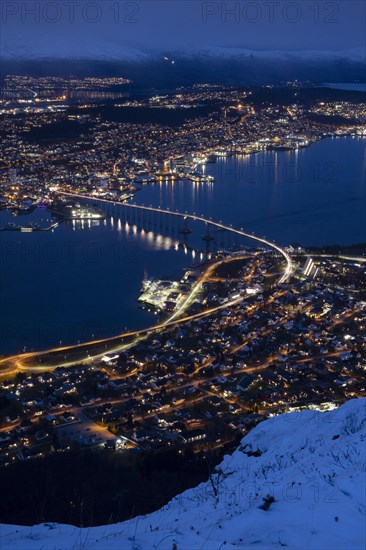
[169,69]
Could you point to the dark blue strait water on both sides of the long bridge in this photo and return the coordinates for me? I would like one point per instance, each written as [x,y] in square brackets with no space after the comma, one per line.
[82,282]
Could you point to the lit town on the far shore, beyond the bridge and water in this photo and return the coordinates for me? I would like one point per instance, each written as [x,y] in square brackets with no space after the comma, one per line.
[112,146]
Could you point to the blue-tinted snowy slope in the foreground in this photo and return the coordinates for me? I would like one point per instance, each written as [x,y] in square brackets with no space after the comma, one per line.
[311,463]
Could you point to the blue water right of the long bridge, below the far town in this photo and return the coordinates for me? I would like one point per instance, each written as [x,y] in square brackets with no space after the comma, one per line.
[314,196]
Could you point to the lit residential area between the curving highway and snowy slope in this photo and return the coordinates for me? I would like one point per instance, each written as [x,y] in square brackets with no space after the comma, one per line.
[204,383]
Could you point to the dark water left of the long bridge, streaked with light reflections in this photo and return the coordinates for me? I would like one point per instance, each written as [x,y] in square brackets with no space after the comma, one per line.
[82,279]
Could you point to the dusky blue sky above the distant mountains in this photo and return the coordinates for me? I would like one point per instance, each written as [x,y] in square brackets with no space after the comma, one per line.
[73,27]
